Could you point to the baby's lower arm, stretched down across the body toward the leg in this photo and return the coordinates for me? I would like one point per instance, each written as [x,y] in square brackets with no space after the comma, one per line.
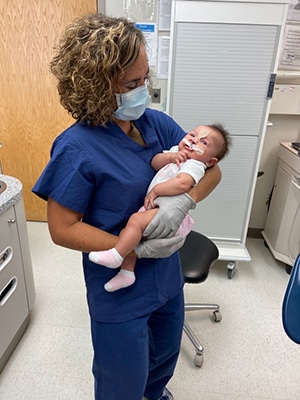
[180,184]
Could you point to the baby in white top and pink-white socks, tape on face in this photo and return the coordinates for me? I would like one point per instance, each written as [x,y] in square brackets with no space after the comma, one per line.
[179,169]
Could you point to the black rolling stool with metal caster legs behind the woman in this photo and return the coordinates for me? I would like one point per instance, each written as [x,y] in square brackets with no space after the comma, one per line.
[197,256]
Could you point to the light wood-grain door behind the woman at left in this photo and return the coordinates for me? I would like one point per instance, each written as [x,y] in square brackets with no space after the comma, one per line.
[30,113]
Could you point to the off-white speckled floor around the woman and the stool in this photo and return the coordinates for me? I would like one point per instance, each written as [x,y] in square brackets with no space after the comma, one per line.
[247,355]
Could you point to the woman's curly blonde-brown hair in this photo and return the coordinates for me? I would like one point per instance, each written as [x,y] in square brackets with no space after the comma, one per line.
[91,57]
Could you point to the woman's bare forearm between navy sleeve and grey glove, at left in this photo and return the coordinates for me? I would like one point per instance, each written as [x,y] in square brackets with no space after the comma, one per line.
[67,230]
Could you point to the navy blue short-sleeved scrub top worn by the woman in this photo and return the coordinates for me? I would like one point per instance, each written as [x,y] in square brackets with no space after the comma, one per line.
[103,174]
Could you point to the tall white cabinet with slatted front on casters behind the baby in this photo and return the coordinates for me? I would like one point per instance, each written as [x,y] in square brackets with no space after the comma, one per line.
[223,62]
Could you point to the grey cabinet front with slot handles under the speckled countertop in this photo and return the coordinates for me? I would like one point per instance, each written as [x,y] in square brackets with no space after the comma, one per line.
[16,281]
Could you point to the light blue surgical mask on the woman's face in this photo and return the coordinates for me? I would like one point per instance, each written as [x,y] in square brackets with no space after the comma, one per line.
[133,104]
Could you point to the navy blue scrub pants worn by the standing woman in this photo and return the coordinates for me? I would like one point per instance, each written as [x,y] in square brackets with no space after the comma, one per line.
[137,357]
